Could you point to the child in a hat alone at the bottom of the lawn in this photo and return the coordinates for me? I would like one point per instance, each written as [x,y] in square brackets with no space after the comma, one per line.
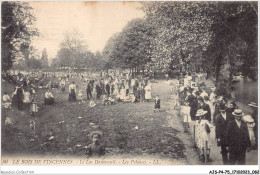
[96,149]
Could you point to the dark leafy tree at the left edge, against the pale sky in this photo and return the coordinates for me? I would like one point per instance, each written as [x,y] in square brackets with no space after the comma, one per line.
[17,31]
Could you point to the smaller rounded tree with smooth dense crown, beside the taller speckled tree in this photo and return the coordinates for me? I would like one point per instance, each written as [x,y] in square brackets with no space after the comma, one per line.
[132,47]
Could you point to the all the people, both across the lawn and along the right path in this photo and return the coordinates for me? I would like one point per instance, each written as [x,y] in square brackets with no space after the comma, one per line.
[198,104]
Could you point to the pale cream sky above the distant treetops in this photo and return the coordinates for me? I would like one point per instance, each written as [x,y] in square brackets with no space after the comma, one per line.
[97,21]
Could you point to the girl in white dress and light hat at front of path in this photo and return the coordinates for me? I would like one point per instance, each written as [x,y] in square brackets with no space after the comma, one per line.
[203,133]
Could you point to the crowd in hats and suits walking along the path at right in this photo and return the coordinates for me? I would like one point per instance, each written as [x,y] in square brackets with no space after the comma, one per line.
[201,107]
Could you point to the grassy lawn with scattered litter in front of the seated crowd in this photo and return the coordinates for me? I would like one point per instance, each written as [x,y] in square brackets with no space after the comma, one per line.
[132,129]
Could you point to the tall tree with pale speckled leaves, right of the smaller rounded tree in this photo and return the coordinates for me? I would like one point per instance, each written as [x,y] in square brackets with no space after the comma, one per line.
[182,32]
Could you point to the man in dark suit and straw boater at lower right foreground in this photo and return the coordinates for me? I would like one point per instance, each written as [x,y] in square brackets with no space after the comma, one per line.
[237,139]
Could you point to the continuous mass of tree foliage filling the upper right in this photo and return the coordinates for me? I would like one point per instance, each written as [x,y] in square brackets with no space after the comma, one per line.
[219,38]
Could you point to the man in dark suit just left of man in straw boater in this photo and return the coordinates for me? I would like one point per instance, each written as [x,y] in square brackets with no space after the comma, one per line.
[222,120]
